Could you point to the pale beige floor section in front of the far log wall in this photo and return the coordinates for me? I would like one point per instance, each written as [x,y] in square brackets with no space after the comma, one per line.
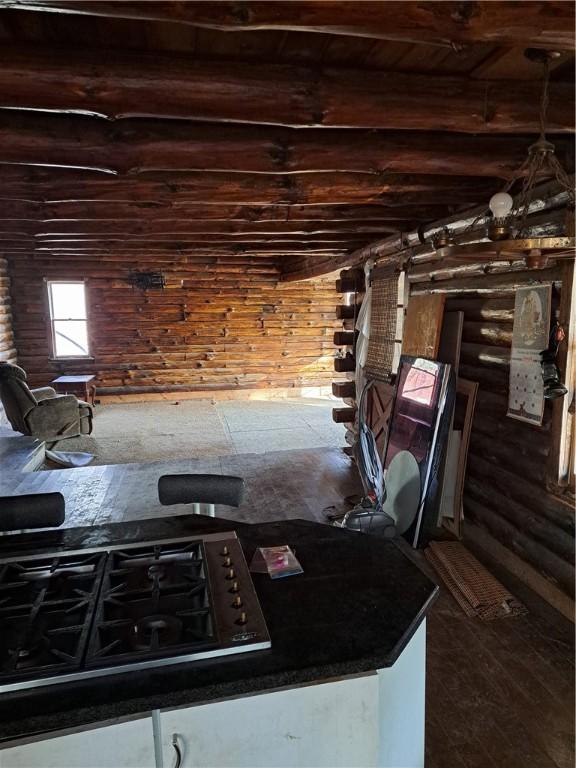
[168,431]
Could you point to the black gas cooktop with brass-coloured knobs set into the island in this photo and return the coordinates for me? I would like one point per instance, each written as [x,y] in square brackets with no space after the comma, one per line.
[72,615]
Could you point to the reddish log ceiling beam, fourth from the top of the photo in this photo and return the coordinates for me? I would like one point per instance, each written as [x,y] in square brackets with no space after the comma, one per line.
[258,189]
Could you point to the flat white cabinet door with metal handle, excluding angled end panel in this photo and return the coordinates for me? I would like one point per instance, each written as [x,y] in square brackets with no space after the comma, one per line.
[333,724]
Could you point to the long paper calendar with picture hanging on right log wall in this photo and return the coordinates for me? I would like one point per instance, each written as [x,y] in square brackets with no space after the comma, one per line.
[530,336]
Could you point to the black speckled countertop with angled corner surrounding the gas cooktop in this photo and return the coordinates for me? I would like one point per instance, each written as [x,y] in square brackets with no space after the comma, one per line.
[353,610]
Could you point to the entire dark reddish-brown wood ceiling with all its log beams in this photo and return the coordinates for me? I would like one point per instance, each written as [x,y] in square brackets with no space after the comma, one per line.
[295,130]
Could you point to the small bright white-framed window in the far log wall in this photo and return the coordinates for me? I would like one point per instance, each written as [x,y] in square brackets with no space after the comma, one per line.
[68,318]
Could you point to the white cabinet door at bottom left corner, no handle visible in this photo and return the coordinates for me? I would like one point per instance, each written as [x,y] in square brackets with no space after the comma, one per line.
[123,745]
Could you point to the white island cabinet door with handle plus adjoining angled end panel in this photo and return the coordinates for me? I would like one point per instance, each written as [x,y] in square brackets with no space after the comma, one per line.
[373,720]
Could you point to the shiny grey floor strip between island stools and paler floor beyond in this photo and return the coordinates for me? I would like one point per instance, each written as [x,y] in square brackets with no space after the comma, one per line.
[279,485]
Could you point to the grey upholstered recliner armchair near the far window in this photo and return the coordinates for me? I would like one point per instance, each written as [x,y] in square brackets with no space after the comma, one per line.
[41,413]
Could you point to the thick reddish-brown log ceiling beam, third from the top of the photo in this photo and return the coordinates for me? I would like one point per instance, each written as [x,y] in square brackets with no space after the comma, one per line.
[129,147]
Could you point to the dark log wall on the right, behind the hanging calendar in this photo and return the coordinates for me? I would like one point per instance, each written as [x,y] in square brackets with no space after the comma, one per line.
[506,485]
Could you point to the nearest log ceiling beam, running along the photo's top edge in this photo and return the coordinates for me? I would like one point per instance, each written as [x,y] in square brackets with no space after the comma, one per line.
[540,24]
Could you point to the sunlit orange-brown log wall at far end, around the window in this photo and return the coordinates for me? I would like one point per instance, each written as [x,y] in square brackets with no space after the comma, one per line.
[218,324]
